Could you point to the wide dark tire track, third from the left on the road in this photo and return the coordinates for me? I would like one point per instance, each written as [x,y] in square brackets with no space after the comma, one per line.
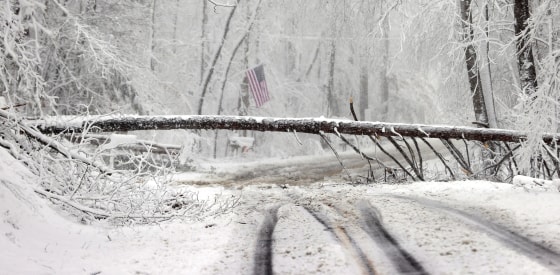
[403,261]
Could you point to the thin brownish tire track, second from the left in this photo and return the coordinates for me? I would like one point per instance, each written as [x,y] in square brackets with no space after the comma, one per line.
[342,236]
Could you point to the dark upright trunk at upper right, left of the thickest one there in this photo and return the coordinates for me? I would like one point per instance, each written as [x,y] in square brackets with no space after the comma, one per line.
[480,113]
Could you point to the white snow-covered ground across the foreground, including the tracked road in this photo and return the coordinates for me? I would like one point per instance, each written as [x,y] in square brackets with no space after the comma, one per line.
[326,227]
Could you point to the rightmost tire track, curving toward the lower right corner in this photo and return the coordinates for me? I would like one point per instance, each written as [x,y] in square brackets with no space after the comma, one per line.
[521,244]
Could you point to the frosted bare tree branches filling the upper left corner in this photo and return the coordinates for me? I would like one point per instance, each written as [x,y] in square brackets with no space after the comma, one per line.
[54,59]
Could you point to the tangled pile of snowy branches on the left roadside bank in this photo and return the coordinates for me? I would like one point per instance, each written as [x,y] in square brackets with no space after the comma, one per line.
[75,178]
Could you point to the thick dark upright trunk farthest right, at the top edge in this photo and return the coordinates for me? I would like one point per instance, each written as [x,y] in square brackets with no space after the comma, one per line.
[525,58]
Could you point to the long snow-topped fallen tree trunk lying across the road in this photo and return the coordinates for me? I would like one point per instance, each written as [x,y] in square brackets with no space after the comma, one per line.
[58,125]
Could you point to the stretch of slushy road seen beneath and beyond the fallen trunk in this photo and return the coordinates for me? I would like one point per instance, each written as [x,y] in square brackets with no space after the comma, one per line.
[304,170]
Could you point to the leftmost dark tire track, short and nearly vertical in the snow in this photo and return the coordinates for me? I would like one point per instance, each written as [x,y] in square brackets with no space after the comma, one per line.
[263,252]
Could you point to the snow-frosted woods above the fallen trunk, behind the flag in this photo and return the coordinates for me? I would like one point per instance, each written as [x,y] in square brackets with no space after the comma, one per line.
[402,61]
